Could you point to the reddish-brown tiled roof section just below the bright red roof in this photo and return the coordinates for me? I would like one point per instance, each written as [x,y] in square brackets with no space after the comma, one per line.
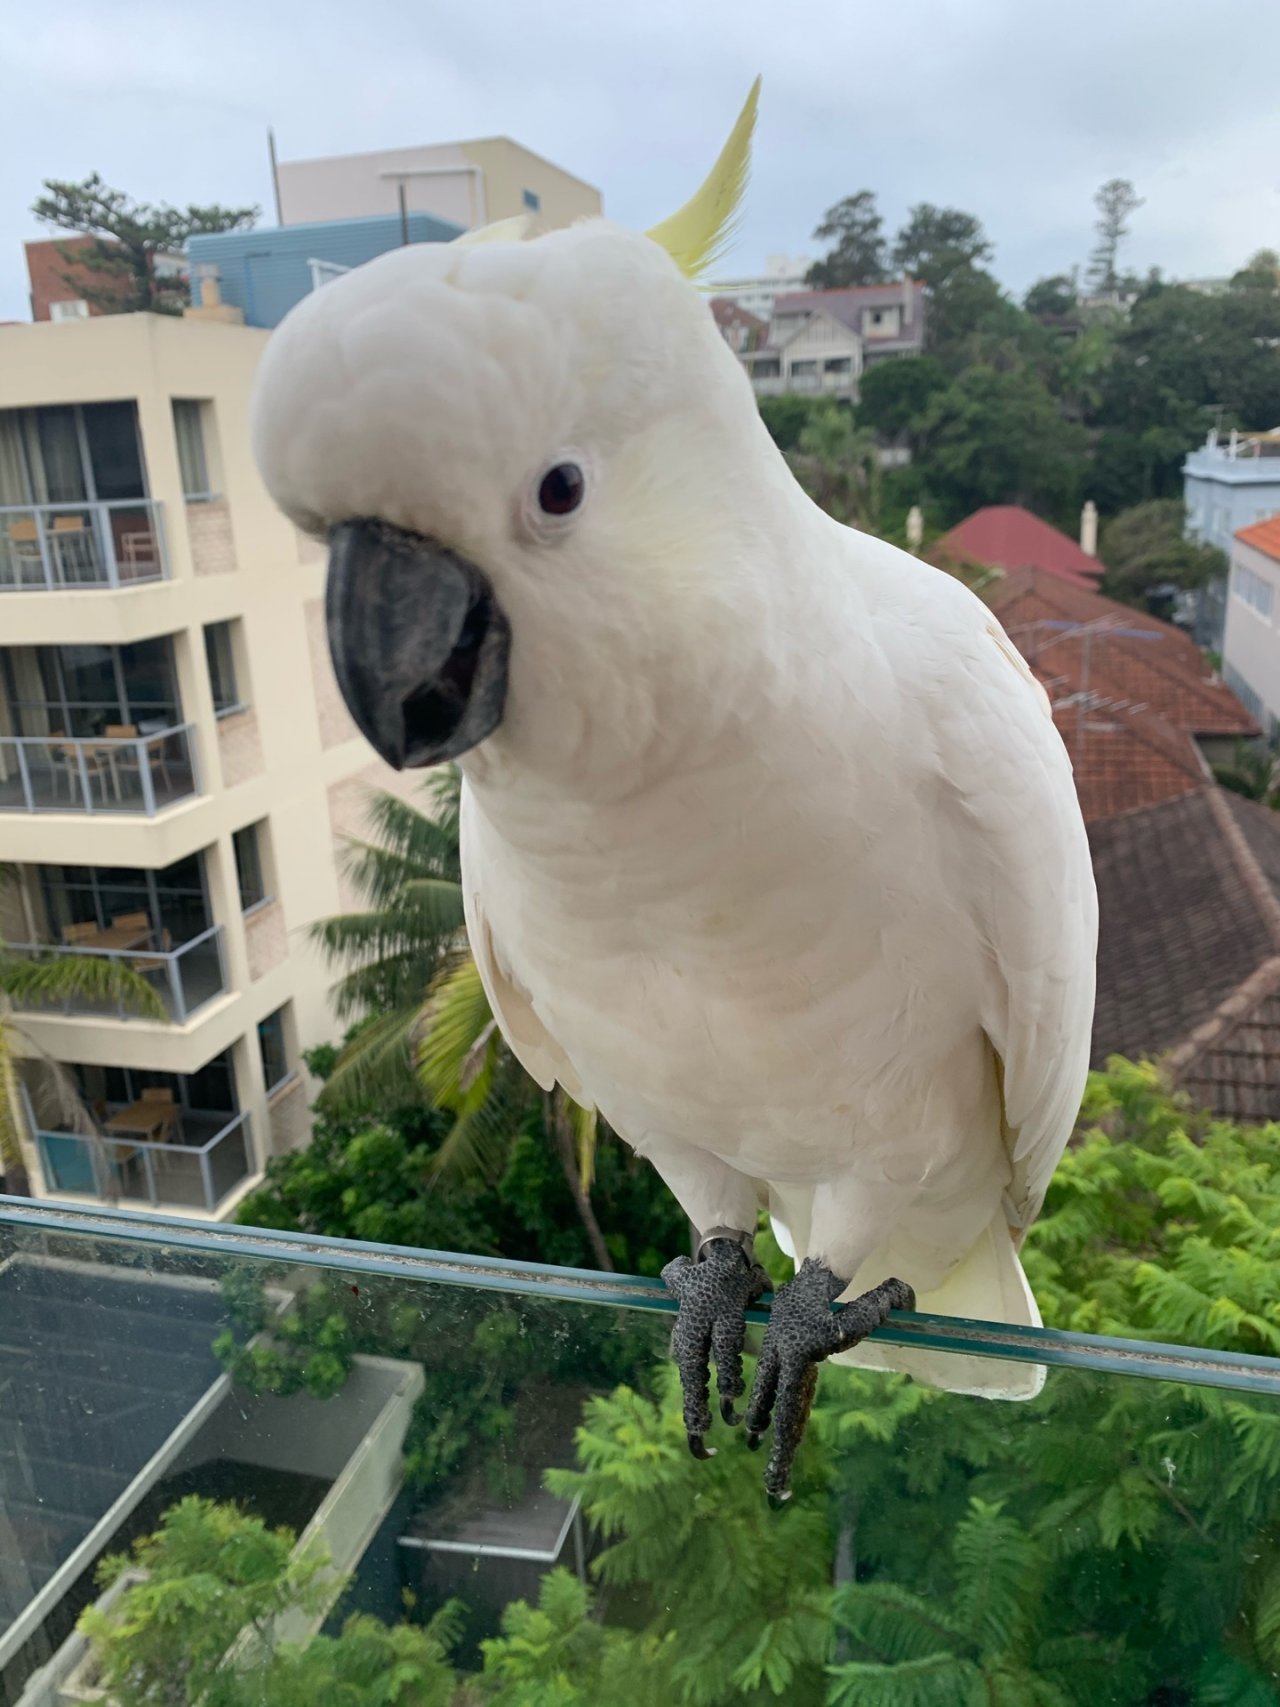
[1078,641]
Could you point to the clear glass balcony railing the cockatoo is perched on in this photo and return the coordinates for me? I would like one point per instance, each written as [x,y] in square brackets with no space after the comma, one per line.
[486,1462]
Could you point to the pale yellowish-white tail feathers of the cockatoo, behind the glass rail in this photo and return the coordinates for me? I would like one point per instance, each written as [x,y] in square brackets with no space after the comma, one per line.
[987,1286]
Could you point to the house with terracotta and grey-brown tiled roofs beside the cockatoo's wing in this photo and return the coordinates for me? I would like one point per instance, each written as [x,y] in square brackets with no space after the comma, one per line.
[1189,877]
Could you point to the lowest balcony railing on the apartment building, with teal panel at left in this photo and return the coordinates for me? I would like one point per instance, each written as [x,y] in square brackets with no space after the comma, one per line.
[189,1175]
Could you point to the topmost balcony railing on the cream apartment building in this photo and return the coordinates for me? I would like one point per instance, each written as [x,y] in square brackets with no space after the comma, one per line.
[47,547]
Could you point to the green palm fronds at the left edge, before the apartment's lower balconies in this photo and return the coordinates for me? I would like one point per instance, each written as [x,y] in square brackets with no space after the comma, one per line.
[59,979]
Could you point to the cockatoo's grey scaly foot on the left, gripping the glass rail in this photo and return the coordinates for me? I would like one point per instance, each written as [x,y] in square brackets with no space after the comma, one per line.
[714,1293]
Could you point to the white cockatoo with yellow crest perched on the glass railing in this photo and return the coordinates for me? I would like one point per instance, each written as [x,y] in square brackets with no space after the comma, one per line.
[771,848]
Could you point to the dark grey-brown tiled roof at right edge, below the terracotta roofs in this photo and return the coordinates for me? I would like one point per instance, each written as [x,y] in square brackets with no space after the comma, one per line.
[1189,962]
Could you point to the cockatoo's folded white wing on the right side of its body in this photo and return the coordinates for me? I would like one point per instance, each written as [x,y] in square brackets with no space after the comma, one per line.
[1025,871]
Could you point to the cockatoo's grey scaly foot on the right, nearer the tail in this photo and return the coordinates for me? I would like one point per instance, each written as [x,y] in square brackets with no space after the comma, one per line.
[805,1331]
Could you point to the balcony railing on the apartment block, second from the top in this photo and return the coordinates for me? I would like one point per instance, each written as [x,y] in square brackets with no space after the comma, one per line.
[131,774]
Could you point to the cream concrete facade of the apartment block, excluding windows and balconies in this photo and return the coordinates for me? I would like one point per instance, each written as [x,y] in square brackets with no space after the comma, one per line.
[277,764]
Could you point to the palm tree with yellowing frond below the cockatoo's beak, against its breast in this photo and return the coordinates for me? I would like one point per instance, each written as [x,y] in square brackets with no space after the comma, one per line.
[426,1020]
